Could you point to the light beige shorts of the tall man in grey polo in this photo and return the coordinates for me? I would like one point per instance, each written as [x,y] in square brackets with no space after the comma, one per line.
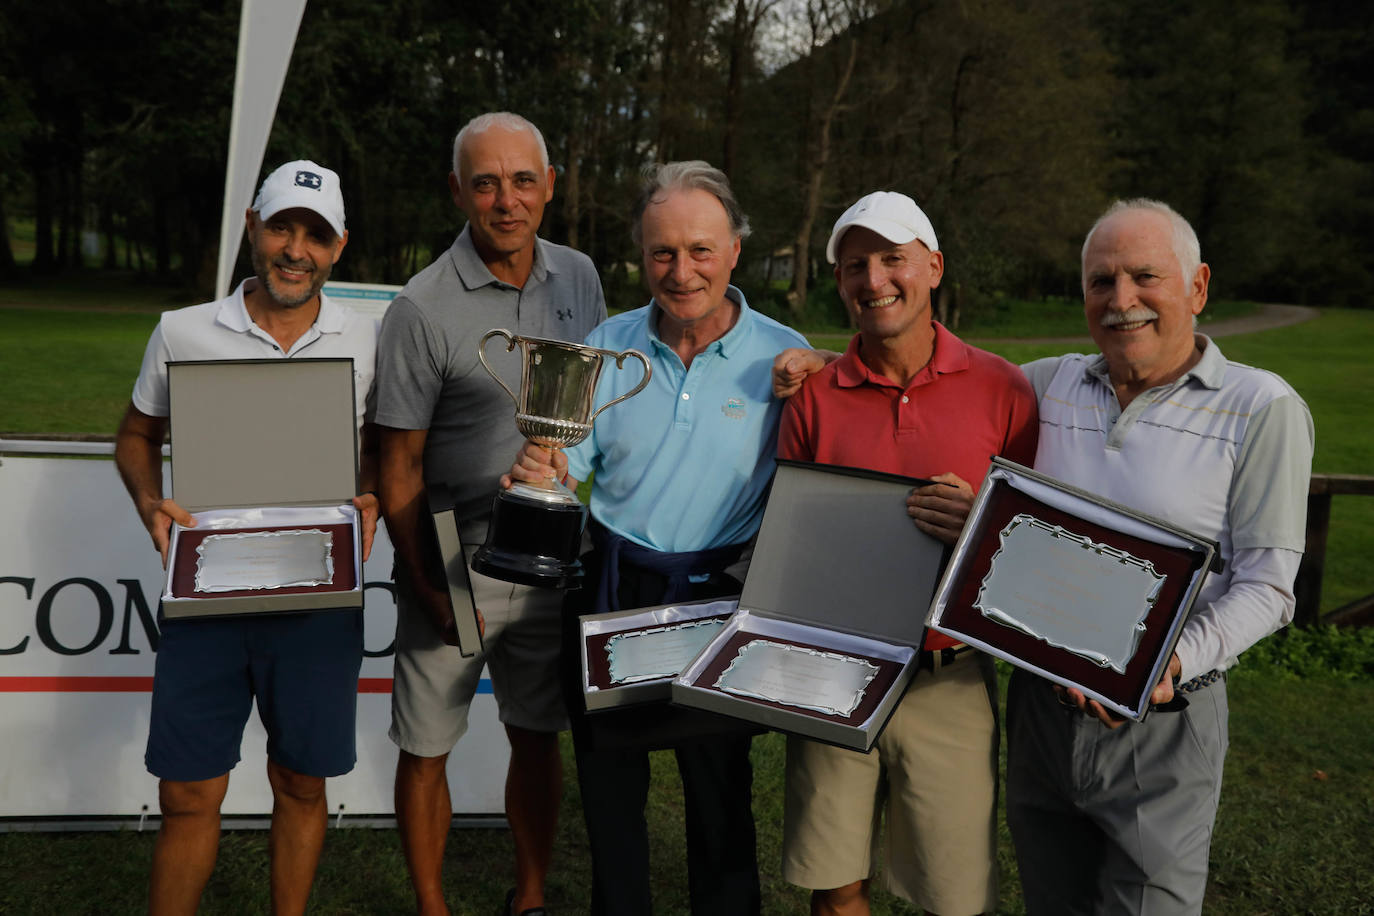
[435,685]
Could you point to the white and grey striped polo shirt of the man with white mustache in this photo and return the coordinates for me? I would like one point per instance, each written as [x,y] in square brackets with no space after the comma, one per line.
[1225,453]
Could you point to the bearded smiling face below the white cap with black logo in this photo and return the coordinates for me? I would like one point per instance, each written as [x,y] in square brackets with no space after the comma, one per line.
[293,253]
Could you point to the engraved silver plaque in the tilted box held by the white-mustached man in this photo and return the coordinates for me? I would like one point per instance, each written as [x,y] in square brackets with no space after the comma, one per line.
[1071,593]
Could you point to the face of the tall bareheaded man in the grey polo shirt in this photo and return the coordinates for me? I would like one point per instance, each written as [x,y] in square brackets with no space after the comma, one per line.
[502,187]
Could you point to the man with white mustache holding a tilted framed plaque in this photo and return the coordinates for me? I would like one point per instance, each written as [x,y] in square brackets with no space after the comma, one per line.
[1112,816]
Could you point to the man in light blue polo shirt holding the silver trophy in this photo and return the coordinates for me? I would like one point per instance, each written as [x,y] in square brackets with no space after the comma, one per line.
[681,476]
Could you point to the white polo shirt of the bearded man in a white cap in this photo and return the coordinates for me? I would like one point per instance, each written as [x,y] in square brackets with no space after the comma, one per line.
[223,330]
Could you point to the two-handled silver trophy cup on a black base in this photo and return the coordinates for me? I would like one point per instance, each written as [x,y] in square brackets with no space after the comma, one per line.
[537,529]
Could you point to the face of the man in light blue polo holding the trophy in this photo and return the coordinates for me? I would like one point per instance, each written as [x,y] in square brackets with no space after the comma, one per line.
[689,255]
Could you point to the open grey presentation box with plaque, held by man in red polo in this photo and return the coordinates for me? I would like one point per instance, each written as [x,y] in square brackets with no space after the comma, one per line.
[833,610]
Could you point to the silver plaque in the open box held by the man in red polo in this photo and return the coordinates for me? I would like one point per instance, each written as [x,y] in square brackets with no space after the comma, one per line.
[799,676]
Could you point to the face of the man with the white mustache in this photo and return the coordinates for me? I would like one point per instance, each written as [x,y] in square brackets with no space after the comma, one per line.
[1138,303]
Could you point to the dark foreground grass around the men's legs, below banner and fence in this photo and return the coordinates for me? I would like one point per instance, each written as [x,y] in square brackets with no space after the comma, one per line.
[1294,836]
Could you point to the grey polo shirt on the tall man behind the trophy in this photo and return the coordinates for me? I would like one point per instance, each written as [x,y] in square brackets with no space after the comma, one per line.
[429,377]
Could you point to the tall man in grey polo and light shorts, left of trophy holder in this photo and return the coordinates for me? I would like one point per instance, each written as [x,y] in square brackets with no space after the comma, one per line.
[447,435]
